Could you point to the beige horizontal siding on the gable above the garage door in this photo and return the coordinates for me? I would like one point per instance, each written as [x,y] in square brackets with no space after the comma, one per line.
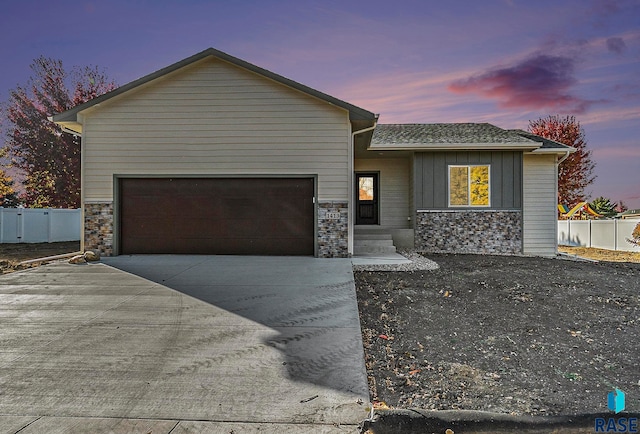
[214,118]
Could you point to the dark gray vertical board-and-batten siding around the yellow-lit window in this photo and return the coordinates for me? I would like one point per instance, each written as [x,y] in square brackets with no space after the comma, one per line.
[431,177]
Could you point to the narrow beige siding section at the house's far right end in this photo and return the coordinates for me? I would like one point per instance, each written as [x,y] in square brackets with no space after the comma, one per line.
[540,205]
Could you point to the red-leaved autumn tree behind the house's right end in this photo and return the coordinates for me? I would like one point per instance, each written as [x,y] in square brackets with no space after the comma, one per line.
[575,173]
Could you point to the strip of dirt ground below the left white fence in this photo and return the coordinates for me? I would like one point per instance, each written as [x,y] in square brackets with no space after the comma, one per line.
[12,254]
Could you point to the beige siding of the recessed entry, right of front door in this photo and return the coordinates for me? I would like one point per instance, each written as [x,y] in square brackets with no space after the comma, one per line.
[394,189]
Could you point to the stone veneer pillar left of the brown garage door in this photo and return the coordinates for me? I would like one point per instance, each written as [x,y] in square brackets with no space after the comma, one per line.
[98,227]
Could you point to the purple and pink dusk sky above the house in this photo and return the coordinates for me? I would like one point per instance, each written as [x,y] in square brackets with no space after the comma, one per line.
[500,61]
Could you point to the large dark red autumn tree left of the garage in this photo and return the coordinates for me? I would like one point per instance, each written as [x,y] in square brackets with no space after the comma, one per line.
[49,157]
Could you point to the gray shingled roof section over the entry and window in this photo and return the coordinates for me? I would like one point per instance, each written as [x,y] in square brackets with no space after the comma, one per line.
[463,136]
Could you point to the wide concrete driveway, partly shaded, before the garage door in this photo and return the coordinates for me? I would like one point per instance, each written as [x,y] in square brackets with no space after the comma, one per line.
[182,344]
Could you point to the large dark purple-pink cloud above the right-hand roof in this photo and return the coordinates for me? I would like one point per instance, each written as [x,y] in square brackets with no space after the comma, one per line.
[539,82]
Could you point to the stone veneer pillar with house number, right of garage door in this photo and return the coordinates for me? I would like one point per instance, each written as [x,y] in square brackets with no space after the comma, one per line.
[333,233]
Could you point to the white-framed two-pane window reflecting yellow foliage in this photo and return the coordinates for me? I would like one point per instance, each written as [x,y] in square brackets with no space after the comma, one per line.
[469,185]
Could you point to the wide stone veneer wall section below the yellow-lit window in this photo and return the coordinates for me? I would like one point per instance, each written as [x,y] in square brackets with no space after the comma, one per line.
[469,231]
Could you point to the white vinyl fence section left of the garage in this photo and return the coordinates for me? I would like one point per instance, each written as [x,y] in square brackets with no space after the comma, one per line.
[39,225]
